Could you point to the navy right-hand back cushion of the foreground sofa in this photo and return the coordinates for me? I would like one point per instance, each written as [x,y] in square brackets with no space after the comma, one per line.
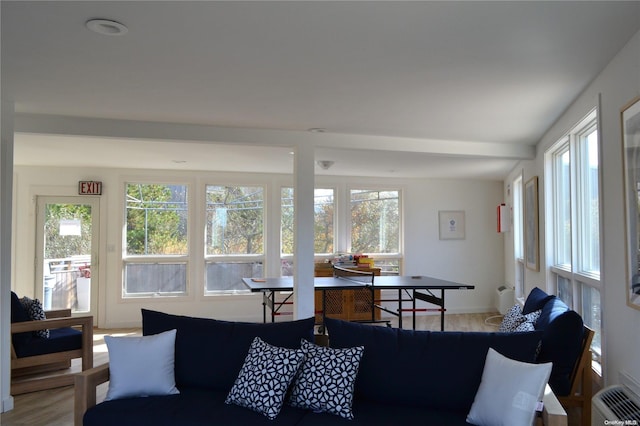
[439,370]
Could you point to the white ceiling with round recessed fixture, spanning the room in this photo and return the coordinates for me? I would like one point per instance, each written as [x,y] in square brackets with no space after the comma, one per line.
[433,89]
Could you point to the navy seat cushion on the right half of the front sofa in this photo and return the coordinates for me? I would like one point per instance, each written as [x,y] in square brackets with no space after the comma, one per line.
[369,413]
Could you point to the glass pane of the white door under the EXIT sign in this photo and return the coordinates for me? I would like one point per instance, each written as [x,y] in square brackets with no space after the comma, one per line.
[67,257]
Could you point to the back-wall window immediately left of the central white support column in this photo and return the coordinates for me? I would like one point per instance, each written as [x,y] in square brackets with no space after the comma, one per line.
[234,241]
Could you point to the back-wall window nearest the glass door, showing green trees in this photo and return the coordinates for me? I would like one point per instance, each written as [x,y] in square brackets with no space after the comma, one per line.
[156,248]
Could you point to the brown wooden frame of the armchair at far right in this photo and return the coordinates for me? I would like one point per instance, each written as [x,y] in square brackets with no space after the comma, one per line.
[581,381]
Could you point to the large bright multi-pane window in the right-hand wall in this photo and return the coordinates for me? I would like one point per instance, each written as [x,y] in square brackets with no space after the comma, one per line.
[572,165]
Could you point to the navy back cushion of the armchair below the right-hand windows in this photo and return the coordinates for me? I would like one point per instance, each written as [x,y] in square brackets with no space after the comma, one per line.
[561,342]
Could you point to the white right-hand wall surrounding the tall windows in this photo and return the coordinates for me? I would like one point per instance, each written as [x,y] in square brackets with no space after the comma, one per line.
[618,84]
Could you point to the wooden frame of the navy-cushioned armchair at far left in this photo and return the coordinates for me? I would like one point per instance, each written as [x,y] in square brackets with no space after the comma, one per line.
[28,372]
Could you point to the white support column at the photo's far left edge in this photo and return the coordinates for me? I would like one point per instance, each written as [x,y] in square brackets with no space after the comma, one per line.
[6,195]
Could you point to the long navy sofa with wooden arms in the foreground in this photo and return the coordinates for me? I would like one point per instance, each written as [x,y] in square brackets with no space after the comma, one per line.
[405,377]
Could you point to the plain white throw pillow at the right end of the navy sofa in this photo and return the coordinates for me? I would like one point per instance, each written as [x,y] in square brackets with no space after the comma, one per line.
[509,391]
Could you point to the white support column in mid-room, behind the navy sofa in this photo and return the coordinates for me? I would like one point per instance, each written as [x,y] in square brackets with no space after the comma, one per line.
[304,175]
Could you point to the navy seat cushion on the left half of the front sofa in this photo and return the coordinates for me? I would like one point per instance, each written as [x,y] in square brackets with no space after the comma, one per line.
[189,408]
